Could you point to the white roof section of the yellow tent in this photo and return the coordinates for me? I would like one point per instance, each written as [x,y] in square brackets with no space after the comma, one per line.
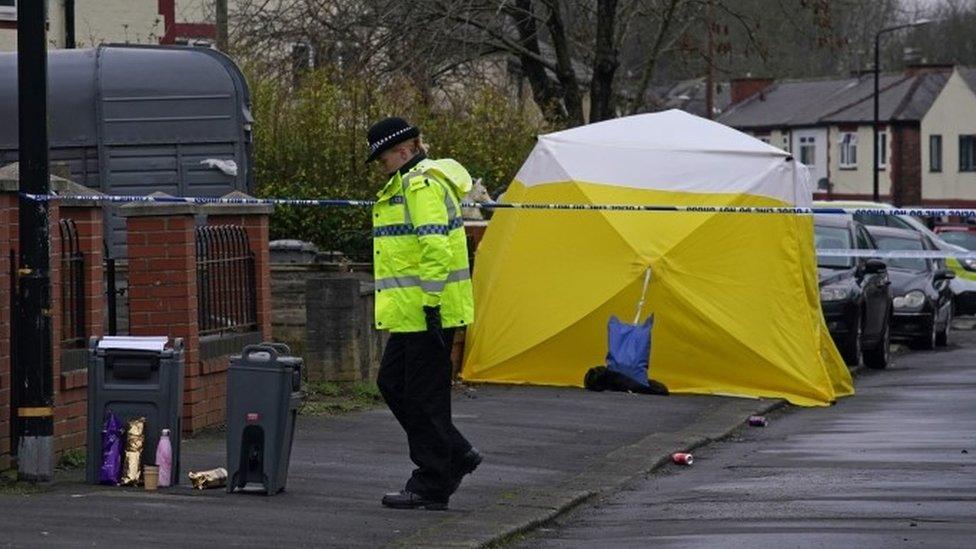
[671,150]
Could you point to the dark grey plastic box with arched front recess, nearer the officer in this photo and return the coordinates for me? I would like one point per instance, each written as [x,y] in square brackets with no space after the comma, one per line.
[263,397]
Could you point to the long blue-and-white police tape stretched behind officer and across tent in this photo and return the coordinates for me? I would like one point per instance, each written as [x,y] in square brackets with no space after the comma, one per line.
[324,202]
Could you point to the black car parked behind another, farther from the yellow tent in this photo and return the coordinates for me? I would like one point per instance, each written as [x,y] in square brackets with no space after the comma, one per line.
[922,298]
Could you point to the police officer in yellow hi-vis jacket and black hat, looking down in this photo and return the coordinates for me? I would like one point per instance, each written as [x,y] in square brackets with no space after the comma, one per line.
[423,292]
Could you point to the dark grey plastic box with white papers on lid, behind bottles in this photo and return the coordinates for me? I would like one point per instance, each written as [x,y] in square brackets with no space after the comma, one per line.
[134,383]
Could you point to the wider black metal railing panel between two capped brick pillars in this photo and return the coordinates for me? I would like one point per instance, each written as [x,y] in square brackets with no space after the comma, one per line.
[225,280]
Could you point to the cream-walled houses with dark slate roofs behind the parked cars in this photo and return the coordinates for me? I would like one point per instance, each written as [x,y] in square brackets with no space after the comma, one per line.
[927,131]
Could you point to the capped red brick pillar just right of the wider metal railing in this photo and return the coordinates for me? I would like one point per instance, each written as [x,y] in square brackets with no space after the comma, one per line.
[255,220]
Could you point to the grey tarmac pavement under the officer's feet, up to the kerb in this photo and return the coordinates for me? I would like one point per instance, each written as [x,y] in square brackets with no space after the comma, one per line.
[546,451]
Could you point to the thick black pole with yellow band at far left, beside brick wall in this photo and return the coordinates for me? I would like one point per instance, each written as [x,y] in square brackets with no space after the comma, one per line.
[35,413]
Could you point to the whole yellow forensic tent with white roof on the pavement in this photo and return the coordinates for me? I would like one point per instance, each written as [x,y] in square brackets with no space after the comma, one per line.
[734,296]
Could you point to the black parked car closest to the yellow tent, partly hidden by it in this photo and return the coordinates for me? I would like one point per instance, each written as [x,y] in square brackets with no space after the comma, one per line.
[854,292]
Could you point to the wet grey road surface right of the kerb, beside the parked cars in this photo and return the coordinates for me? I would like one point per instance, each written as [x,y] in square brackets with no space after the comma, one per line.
[895,466]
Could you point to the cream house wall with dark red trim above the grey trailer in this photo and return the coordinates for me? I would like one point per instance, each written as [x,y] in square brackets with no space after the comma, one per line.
[81,23]
